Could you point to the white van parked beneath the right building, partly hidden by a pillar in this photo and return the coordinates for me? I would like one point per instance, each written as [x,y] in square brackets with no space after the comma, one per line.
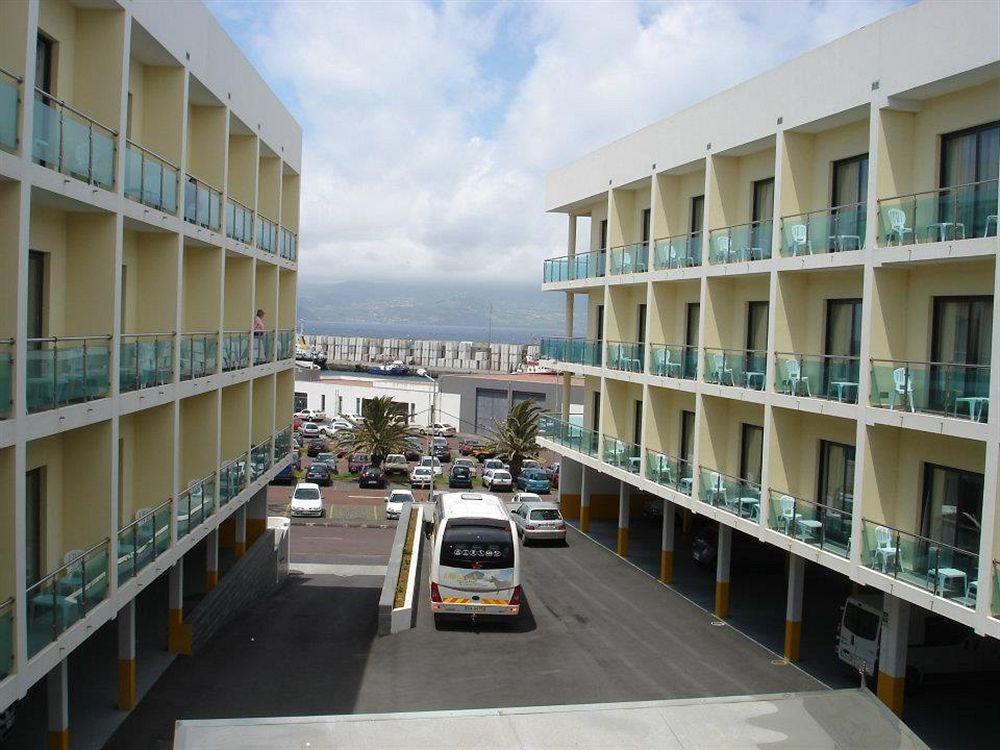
[936,644]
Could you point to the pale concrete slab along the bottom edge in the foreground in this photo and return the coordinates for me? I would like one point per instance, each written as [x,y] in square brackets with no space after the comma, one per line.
[841,719]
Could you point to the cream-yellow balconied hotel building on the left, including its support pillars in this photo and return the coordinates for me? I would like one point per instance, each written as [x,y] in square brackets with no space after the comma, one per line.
[149,205]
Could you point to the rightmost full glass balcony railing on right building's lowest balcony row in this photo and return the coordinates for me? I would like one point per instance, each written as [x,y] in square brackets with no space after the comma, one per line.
[943,570]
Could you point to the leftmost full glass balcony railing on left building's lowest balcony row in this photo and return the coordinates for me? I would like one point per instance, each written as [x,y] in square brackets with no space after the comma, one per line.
[65,596]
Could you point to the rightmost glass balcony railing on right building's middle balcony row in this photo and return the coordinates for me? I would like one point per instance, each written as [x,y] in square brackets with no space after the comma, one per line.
[948,389]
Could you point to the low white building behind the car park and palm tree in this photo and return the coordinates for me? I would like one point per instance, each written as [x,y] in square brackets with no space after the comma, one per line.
[345,394]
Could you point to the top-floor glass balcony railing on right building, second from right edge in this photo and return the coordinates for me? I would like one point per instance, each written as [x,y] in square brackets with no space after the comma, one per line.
[827,230]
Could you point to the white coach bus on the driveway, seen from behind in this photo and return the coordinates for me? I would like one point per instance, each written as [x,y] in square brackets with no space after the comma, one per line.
[475,563]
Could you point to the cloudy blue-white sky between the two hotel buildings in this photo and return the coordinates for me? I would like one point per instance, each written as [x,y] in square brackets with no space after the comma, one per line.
[429,126]
